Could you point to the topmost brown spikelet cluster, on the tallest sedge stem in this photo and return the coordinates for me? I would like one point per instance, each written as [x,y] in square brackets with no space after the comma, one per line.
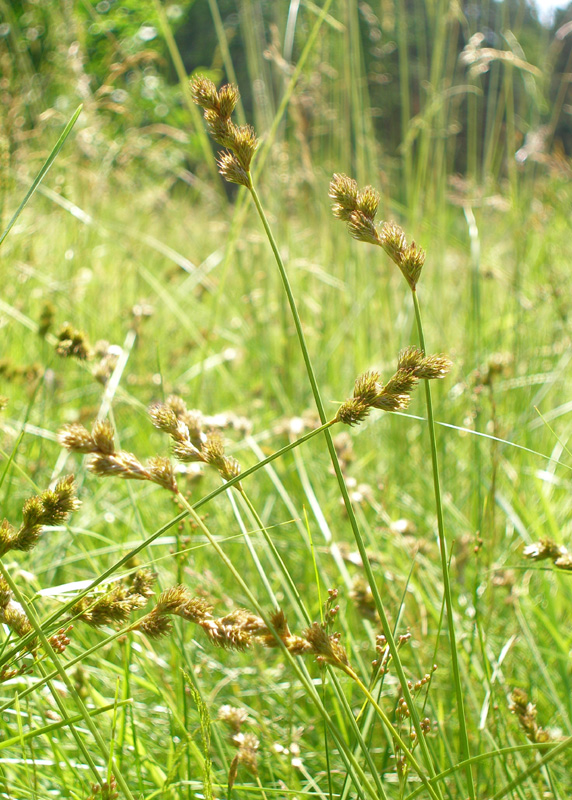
[240,141]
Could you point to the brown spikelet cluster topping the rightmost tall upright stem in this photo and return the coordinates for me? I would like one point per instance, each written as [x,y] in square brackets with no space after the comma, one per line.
[358,209]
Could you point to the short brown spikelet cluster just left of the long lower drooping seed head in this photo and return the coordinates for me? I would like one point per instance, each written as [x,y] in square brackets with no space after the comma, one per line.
[114,605]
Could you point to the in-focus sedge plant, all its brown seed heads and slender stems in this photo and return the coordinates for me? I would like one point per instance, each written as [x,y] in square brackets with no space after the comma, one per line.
[118,603]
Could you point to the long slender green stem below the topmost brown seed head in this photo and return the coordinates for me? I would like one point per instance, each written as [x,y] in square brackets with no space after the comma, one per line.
[344,492]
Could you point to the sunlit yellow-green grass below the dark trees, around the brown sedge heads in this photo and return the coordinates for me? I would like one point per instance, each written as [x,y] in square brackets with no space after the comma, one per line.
[222,336]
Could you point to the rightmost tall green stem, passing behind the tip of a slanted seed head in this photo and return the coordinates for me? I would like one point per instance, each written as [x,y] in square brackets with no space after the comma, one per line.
[463,733]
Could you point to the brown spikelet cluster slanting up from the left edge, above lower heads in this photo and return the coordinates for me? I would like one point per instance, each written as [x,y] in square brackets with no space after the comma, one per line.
[51,507]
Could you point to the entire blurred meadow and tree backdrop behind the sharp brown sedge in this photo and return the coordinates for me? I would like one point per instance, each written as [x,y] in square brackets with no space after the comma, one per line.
[459,115]
